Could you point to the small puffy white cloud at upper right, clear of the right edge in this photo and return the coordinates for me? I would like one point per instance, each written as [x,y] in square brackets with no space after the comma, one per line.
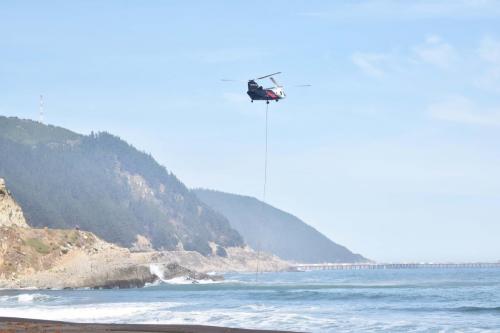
[436,52]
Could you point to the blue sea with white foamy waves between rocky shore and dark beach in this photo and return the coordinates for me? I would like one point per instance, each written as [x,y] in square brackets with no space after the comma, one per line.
[392,300]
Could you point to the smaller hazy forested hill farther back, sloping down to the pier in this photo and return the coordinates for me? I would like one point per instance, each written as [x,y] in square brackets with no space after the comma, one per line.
[272,230]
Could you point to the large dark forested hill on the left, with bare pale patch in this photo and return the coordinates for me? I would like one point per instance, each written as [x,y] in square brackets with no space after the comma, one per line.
[102,184]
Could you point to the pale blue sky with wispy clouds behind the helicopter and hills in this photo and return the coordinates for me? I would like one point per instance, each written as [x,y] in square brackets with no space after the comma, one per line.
[393,151]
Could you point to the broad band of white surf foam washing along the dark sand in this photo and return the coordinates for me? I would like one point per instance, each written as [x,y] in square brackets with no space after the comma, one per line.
[257,316]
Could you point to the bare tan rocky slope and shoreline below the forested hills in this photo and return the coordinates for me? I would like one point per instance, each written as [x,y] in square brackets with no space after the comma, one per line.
[69,258]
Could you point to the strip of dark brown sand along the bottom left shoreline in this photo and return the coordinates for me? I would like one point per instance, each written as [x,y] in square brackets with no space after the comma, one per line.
[21,325]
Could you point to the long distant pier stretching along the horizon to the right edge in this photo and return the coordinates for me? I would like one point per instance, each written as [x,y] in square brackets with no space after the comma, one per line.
[312,267]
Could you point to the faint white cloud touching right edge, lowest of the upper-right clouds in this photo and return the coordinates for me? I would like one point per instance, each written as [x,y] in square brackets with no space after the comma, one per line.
[462,110]
